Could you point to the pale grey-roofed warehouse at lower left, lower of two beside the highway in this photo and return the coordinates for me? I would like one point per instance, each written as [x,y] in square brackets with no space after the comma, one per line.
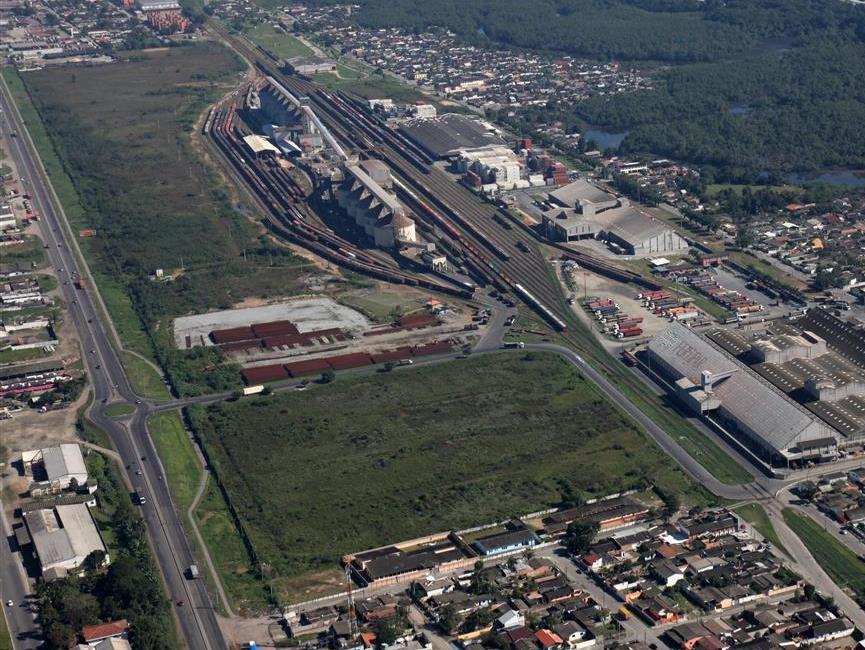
[63,537]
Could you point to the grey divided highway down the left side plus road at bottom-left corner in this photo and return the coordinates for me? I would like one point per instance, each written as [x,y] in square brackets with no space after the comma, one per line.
[196,617]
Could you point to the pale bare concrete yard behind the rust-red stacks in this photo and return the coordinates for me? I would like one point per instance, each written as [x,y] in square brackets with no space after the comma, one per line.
[307,313]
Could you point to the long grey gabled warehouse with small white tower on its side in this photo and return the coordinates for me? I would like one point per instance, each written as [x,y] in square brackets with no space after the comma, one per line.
[707,380]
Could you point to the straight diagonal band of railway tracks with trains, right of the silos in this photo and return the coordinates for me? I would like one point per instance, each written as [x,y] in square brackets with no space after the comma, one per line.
[495,246]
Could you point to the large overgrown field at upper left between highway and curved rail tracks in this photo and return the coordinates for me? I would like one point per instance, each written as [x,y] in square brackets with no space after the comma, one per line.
[125,163]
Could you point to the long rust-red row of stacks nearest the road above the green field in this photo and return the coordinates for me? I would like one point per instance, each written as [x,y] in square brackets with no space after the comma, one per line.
[275,372]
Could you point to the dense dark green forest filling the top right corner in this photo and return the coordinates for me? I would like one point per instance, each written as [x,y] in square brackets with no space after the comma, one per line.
[747,86]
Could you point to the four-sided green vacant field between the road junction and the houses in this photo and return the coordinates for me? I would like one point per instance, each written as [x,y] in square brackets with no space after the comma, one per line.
[365,461]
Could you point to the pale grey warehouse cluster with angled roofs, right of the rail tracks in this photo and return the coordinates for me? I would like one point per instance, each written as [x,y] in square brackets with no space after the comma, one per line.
[589,212]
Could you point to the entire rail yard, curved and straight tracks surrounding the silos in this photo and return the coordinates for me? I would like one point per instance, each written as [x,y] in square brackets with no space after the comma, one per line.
[494,247]
